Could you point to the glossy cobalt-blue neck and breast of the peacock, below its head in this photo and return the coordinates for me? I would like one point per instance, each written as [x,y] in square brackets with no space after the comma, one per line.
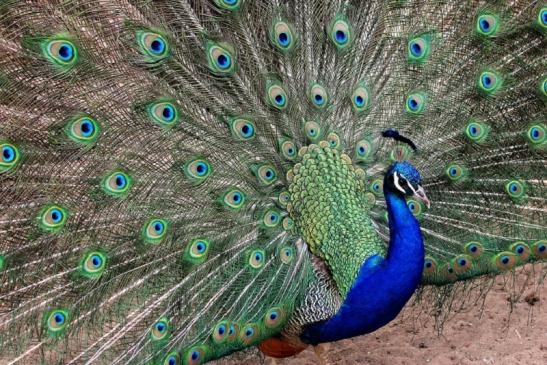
[383,286]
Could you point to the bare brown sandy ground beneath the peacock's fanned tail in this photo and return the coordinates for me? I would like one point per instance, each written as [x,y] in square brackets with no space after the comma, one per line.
[492,334]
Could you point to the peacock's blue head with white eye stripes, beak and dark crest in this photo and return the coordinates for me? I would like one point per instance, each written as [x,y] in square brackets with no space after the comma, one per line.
[402,177]
